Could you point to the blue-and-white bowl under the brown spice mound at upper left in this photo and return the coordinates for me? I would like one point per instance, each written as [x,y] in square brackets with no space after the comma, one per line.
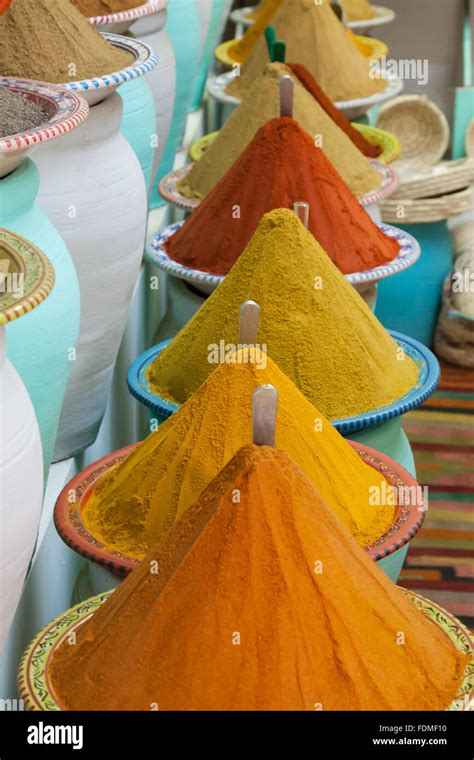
[97,89]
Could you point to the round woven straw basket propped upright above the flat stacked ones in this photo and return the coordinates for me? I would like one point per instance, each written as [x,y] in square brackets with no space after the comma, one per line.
[421,127]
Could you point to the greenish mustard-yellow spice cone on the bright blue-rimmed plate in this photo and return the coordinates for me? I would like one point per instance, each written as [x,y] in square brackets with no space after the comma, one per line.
[316,326]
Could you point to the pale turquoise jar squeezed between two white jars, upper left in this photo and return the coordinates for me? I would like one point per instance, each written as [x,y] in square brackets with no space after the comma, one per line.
[139,122]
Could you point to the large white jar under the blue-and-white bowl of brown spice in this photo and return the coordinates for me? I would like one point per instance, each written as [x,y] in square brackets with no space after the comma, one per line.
[93,190]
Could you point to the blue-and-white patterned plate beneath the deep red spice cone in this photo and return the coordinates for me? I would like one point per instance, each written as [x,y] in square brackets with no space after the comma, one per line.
[156,253]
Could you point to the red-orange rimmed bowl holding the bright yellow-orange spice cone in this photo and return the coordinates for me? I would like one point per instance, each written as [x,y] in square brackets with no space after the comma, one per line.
[70,526]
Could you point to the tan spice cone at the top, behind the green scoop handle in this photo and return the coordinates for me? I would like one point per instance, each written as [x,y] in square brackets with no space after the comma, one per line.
[316,38]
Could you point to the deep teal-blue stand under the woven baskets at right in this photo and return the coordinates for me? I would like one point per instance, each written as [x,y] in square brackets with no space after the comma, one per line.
[409,302]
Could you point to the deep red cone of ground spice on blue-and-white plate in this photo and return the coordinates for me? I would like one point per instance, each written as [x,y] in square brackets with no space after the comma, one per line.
[266,177]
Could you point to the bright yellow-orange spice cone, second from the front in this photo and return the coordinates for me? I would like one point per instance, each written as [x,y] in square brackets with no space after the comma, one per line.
[142,497]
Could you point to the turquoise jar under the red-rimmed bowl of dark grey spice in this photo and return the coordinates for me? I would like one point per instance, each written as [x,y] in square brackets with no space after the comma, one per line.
[39,344]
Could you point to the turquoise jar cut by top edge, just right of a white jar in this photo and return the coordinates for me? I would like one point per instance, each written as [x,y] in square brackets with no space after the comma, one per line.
[183,29]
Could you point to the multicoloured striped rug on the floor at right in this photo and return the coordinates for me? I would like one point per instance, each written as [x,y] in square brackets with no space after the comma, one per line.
[440,562]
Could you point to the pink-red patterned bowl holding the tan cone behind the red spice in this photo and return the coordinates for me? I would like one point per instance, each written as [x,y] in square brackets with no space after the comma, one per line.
[168,187]
